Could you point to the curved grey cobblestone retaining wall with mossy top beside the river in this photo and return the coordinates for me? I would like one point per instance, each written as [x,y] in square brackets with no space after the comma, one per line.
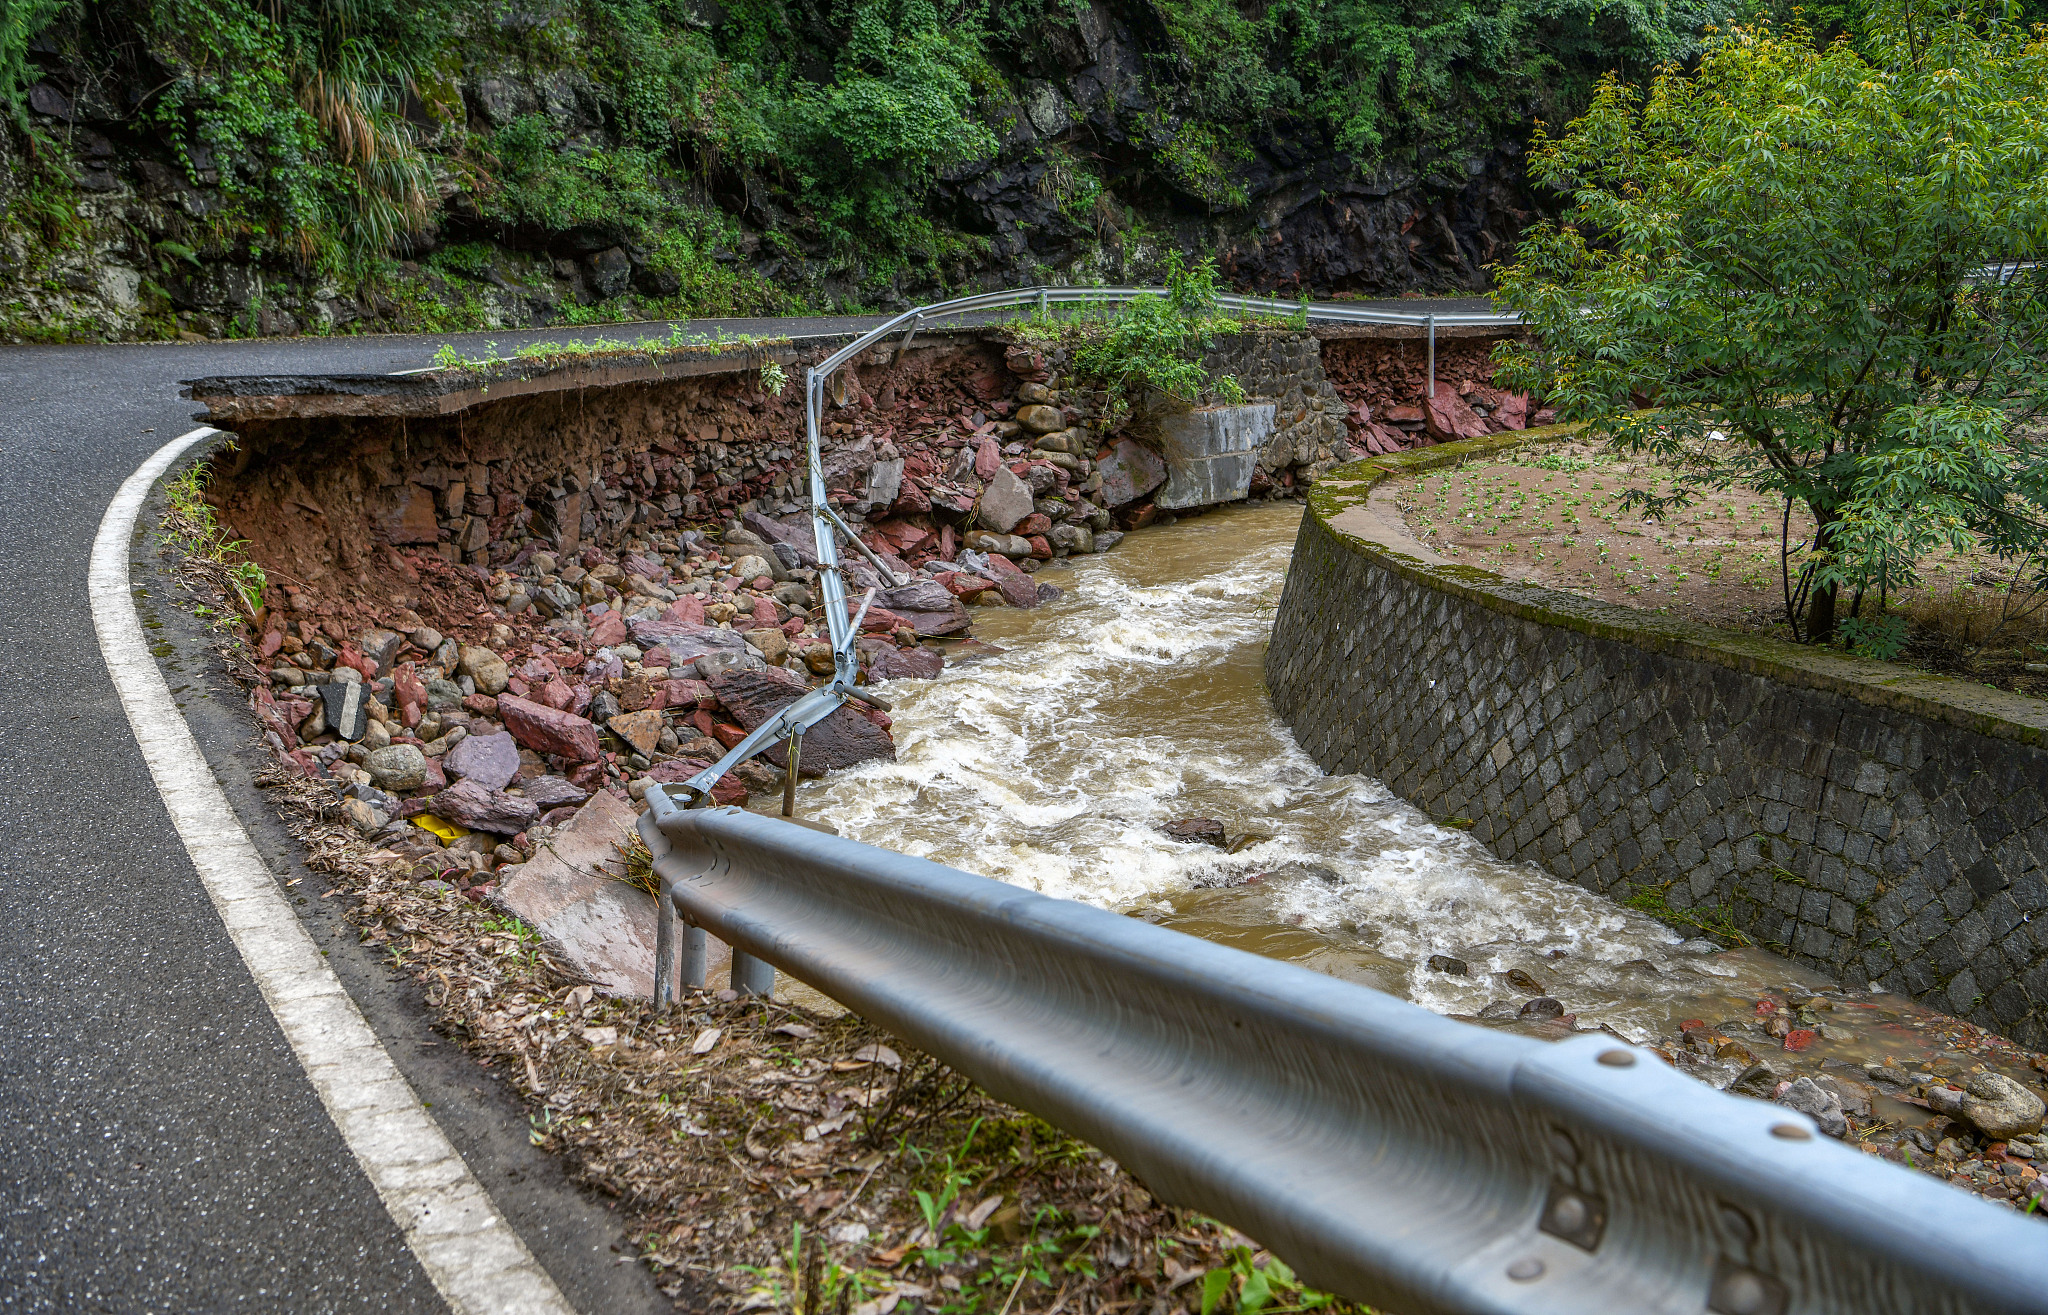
[1865,820]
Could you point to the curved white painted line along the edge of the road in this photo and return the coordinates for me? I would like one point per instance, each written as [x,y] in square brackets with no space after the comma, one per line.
[474,1257]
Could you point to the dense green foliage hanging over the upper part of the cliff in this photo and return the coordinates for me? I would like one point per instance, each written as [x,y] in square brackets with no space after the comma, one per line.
[341,138]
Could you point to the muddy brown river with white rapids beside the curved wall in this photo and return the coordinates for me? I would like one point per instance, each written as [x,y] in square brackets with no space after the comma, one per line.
[1138,699]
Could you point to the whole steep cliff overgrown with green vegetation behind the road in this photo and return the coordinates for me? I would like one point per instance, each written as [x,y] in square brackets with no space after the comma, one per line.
[450,163]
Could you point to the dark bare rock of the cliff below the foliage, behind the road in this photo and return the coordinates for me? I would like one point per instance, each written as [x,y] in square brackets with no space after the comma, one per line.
[120,228]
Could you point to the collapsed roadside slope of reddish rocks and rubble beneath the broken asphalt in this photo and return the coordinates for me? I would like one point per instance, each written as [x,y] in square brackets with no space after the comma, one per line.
[484,640]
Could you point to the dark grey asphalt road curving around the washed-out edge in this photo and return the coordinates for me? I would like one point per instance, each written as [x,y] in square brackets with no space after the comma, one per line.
[163,1150]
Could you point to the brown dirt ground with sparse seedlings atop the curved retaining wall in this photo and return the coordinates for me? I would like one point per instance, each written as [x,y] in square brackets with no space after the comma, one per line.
[1555,517]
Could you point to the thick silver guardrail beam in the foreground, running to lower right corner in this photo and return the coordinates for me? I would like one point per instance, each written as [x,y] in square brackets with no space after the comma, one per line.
[1385,1152]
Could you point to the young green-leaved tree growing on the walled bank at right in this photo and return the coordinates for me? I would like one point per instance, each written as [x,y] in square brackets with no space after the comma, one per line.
[1793,247]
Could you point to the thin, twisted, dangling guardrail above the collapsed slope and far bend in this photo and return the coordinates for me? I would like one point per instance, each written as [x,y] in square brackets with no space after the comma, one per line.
[826,525]
